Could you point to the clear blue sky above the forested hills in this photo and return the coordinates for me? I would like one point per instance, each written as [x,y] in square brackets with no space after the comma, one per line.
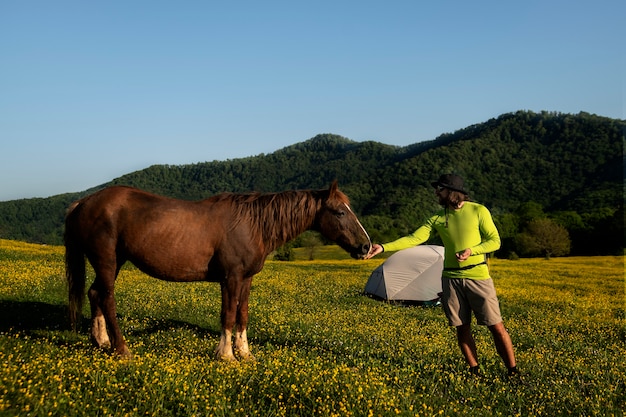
[90,91]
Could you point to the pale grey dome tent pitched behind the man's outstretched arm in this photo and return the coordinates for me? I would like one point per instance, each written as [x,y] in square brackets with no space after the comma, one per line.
[409,276]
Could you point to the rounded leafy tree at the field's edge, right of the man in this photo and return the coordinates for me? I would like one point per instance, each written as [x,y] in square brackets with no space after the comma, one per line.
[544,237]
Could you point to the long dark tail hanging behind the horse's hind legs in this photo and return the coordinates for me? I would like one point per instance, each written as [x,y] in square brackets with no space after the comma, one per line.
[74,267]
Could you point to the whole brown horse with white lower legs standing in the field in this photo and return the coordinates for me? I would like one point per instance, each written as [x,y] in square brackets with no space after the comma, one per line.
[225,238]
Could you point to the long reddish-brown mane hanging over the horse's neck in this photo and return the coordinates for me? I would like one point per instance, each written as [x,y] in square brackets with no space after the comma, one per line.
[276,218]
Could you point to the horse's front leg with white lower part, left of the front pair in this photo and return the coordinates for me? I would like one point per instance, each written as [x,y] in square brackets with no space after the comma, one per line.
[231,289]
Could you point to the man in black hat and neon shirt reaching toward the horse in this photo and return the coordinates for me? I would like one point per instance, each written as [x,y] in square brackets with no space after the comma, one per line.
[468,234]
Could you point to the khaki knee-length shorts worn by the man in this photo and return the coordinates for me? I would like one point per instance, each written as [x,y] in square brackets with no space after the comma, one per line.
[461,296]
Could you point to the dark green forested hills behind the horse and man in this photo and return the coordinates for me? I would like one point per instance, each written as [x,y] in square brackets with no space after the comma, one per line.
[524,166]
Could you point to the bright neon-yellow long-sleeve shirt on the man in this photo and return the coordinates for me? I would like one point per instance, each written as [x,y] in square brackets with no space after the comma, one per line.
[471,226]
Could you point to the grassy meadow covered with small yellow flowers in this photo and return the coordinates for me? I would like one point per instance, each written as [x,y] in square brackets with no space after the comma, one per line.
[322,348]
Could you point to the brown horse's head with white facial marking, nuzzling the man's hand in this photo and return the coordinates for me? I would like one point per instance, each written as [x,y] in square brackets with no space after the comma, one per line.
[337,222]
